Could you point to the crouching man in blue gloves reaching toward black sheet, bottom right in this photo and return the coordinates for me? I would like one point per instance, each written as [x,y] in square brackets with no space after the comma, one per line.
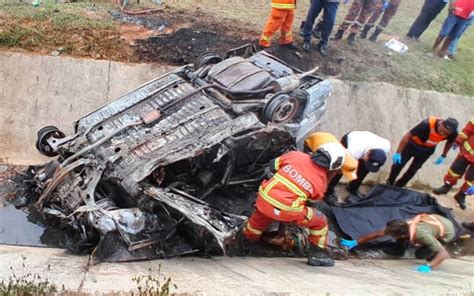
[427,232]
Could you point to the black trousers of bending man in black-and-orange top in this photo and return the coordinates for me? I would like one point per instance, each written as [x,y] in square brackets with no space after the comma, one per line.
[419,154]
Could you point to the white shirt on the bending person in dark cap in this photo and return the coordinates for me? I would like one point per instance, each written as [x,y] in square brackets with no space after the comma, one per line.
[358,142]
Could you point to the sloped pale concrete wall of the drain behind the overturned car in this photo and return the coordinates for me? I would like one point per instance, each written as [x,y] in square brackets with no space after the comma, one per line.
[36,91]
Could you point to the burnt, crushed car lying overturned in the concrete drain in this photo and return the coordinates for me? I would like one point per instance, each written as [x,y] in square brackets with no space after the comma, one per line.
[172,167]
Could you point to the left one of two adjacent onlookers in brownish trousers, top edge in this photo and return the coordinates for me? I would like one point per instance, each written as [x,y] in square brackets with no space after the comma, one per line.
[358,13]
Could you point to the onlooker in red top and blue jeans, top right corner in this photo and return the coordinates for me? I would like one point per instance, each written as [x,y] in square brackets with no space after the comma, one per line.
[456,22]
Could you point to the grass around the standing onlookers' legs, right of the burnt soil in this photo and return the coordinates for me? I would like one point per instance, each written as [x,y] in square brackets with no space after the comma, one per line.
[412,69]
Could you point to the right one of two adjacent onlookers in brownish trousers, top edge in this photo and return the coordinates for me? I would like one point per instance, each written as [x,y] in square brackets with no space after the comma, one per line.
[387,16]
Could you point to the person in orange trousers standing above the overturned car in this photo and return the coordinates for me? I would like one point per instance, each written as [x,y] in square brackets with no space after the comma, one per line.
[281,17]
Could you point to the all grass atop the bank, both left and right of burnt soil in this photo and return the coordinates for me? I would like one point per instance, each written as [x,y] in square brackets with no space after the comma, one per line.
[85,29]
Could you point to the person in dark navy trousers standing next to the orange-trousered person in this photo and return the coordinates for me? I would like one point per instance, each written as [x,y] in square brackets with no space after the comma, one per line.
[329,17]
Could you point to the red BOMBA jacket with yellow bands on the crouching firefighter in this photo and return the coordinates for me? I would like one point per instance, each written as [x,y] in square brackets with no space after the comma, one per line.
[296,180]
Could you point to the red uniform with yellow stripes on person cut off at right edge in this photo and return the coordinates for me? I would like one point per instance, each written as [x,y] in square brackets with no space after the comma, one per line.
[464,162]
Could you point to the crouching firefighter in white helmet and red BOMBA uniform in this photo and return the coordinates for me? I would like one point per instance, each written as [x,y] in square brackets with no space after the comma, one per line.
[299,178]
